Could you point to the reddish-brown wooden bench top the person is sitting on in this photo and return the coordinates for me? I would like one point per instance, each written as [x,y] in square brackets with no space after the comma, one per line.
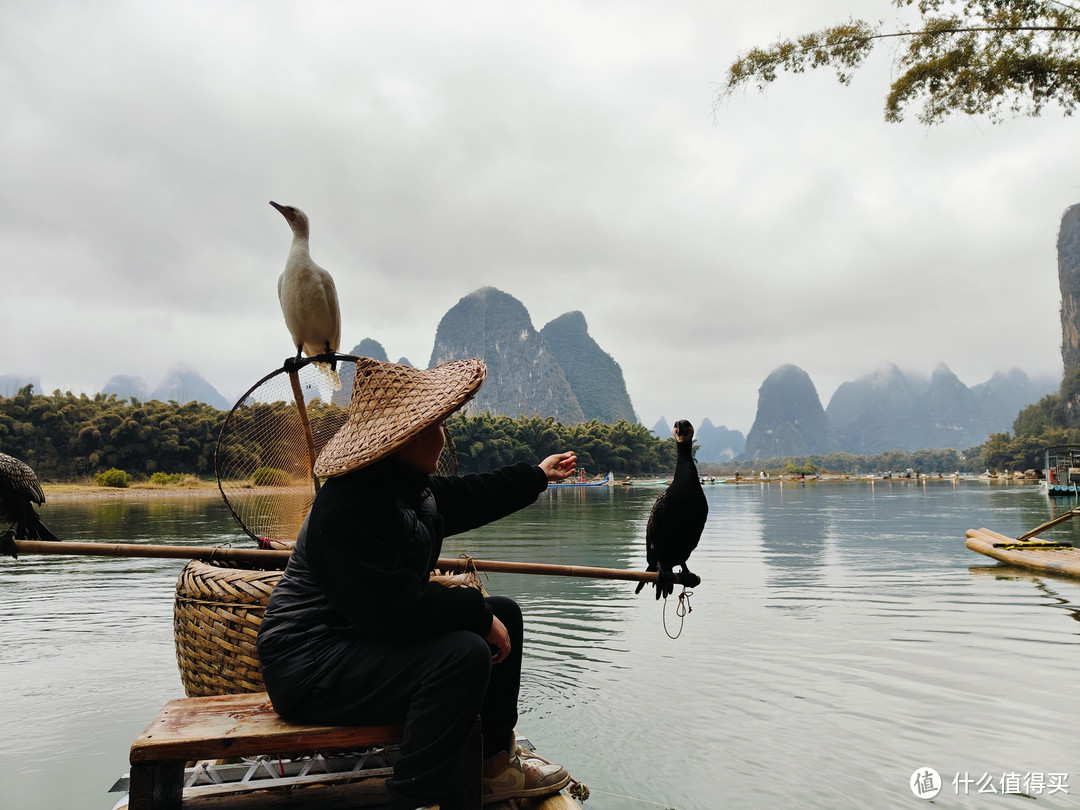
[226,725]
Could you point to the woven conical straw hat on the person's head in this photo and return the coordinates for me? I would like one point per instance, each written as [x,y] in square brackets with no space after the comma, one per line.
[391,406]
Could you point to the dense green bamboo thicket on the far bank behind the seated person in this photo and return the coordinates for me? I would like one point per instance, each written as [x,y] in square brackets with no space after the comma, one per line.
[66,437]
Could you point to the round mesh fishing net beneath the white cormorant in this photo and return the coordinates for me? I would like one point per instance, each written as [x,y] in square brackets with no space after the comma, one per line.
[272,438]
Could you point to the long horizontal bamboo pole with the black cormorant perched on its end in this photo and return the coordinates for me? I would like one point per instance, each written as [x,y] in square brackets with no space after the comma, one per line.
[272,559]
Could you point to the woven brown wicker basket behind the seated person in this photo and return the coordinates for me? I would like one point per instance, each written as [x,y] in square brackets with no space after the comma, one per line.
[217,620]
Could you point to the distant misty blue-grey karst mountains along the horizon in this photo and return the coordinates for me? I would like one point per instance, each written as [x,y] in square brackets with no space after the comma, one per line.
[560,371]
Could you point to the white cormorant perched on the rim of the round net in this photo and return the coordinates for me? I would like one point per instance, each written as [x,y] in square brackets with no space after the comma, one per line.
[308,298]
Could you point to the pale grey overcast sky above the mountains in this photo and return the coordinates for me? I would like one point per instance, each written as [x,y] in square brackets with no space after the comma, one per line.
[566,153]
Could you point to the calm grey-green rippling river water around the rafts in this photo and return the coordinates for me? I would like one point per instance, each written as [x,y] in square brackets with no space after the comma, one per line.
[842,641]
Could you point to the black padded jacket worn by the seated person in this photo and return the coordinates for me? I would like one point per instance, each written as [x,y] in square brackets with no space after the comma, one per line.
[362,560]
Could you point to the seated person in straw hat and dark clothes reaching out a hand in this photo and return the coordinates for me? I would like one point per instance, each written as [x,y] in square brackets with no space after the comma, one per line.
[356,633]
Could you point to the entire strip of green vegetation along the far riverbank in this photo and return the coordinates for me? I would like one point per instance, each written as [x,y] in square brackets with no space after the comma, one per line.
[69,438]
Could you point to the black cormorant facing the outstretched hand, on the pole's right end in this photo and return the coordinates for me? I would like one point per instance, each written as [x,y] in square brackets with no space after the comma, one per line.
[678,520]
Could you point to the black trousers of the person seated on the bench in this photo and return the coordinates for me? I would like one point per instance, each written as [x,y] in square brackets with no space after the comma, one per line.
[437,686]
